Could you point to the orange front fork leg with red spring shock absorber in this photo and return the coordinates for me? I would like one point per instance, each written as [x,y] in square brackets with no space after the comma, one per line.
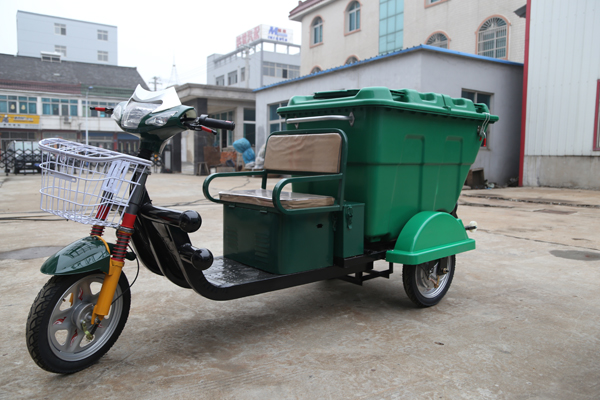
[117,258]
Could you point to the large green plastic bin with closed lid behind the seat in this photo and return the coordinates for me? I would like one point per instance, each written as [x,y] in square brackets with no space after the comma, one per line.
[407,151]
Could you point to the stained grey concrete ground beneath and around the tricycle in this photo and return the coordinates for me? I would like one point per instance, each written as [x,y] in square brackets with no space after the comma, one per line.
[521,320]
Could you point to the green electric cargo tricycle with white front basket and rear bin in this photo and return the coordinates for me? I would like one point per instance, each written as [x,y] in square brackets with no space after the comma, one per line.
[375,174]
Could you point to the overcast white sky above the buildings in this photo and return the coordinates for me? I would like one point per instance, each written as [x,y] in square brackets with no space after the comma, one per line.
[154,35]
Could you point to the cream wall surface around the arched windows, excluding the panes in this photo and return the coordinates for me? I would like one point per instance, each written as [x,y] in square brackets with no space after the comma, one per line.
[458,19]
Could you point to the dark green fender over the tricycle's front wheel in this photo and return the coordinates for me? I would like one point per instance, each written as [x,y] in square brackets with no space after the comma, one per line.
[83,255]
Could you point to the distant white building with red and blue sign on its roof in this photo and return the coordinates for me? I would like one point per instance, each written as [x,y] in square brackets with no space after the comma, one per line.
[264,55]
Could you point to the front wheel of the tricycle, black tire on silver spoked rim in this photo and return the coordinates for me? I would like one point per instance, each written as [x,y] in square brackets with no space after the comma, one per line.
[51,310]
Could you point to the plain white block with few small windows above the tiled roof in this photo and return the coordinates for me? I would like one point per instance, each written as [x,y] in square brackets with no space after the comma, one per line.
[73,40]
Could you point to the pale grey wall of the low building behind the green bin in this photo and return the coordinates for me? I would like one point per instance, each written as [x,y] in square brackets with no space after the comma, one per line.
[420,70]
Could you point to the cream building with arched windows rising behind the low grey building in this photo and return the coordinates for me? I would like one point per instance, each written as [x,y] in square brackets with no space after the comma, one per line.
[338,32]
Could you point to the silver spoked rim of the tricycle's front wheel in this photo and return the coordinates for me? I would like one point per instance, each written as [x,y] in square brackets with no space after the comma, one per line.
[65,334]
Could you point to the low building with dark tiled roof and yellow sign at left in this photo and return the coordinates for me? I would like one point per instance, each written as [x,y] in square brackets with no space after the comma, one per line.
[44,99]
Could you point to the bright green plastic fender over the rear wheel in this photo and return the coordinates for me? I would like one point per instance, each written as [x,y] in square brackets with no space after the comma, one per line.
[430,235]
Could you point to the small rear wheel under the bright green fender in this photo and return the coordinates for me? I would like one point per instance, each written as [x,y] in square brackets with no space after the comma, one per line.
[419,289]
